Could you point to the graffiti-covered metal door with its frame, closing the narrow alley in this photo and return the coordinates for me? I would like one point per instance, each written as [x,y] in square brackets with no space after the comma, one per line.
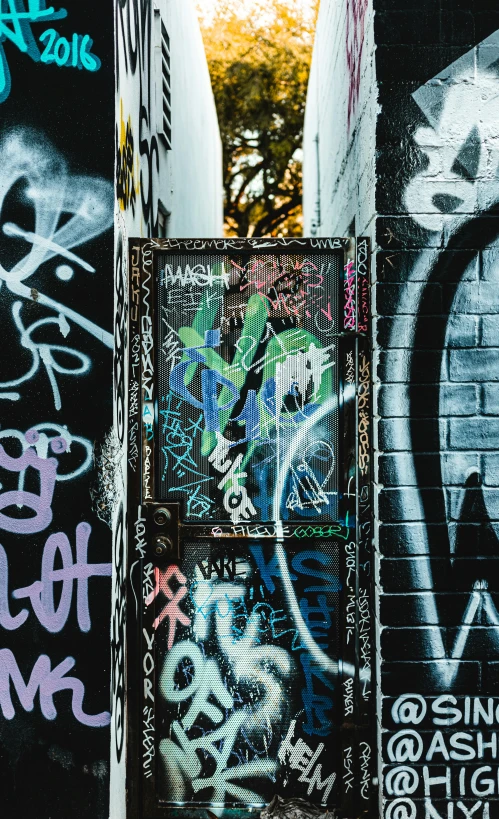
[249,525]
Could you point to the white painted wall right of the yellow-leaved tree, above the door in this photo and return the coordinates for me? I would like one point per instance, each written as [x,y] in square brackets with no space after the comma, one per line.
[344,161]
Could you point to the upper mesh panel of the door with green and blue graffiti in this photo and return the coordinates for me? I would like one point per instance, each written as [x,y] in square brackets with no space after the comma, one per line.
[247,354]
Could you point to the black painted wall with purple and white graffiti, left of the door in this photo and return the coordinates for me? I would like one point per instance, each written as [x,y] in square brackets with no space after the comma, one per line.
[57,138]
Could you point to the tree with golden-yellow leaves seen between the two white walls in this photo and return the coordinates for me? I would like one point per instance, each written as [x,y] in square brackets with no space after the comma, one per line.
[259,55]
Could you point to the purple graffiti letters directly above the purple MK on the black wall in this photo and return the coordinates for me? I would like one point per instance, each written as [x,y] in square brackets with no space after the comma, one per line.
[41,592]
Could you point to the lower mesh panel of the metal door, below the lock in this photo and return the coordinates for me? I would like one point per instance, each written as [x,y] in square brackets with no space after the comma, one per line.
[239,692]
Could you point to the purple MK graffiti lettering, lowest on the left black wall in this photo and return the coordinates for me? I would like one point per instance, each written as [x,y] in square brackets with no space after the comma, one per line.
[47,681]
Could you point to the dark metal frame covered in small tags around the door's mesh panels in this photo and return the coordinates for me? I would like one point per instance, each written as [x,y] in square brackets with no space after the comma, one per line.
[358,728]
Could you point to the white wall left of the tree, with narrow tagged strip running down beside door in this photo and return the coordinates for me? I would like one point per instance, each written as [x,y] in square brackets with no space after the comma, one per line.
[186,182]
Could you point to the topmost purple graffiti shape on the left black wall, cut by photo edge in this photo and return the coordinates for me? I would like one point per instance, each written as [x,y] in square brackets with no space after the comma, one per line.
[39,504]
